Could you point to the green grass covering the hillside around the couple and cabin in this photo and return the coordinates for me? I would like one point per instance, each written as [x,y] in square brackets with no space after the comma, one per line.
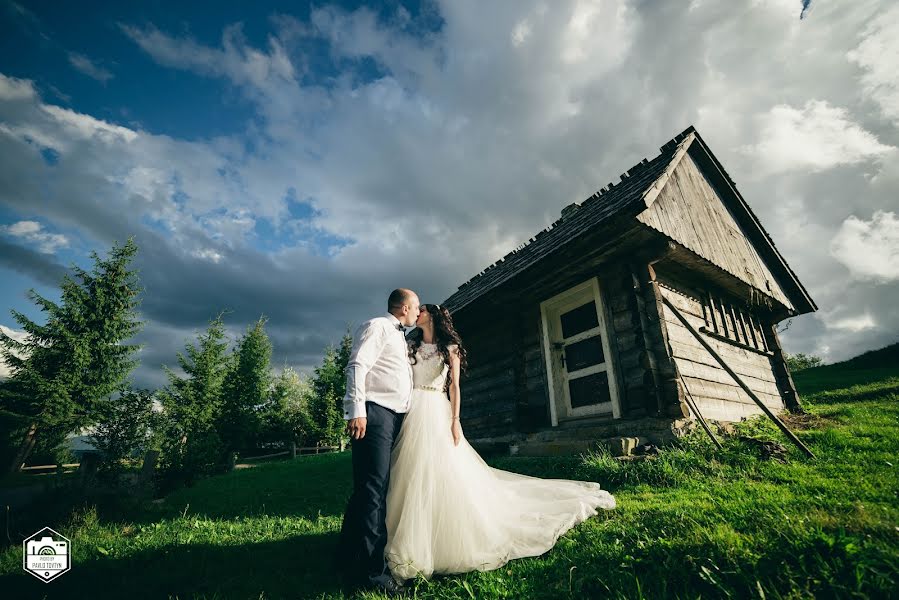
[692,522]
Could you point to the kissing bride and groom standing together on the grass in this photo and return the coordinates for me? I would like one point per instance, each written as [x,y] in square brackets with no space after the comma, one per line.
[423,500]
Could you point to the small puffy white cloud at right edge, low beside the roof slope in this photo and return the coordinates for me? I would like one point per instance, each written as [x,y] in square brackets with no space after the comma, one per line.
[869,249]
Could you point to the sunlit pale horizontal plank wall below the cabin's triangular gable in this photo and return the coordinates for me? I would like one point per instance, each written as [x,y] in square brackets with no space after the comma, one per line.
[716,393]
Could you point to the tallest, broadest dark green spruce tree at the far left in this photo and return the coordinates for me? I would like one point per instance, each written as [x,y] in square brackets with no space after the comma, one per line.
[66,367]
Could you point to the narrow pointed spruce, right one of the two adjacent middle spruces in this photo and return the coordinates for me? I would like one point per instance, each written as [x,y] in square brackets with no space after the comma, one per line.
[246,389]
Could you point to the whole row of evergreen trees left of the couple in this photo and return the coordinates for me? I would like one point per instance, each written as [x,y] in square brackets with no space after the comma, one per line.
[73,372]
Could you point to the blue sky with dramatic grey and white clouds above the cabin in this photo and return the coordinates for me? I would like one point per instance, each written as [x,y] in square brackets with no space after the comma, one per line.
[301,162]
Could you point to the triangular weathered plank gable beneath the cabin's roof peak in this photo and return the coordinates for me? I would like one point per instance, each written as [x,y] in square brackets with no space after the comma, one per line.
[689,211]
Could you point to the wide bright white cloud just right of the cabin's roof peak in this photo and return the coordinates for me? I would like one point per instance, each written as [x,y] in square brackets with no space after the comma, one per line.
[814,138]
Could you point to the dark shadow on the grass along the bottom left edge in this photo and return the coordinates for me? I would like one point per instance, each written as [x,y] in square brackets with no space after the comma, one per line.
[296,568]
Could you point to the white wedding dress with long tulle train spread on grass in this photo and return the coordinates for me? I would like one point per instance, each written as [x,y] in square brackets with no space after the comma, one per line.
[450,512]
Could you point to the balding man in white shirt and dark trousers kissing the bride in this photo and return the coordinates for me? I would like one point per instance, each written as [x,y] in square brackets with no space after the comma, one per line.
[378,390]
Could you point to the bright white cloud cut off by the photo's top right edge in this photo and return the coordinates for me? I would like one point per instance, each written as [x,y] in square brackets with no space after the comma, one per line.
[878,56]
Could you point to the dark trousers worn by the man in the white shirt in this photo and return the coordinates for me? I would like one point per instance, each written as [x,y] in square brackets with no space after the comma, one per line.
[363,536]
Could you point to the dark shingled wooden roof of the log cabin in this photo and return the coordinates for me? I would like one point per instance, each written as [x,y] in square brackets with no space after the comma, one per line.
[636,191]
